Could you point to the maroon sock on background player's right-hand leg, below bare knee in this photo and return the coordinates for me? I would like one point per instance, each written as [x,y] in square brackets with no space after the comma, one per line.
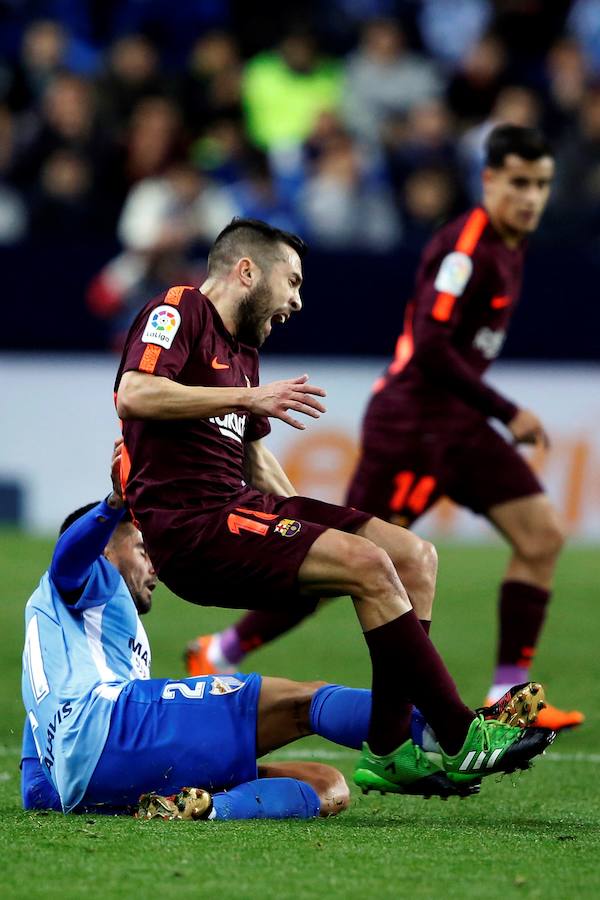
[522,613]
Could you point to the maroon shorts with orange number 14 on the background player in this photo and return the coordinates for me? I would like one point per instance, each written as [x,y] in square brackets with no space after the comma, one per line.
[404,474]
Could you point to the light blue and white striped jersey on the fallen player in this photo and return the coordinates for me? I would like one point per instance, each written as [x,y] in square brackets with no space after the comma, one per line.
[76,661]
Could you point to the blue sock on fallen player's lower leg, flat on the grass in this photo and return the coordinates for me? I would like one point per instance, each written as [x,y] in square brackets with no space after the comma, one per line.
[268,798]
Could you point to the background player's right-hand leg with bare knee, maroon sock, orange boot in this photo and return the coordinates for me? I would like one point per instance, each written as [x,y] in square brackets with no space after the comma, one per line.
[534,530]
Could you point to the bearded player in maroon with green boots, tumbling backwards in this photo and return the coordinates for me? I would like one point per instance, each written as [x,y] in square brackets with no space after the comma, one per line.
[223,527]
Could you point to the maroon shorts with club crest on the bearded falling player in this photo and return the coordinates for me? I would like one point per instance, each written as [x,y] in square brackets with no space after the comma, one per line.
[247,554]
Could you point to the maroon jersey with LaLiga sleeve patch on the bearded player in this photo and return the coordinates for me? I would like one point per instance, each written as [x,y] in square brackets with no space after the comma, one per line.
[176,469]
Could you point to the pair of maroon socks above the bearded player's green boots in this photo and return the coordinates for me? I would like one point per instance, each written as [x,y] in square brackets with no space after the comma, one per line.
[407,665]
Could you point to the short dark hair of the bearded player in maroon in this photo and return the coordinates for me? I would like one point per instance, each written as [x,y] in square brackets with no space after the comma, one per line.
[253,238]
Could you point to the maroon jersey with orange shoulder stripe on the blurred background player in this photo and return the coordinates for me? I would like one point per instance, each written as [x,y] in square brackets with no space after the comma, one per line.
[467,287]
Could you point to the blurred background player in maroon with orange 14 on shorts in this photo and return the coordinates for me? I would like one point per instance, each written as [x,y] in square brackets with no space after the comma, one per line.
[426,432]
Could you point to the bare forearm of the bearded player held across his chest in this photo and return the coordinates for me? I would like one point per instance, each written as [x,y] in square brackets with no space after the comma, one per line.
[143,396]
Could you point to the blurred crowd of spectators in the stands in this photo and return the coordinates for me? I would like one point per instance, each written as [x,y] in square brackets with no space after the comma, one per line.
[357,123]
